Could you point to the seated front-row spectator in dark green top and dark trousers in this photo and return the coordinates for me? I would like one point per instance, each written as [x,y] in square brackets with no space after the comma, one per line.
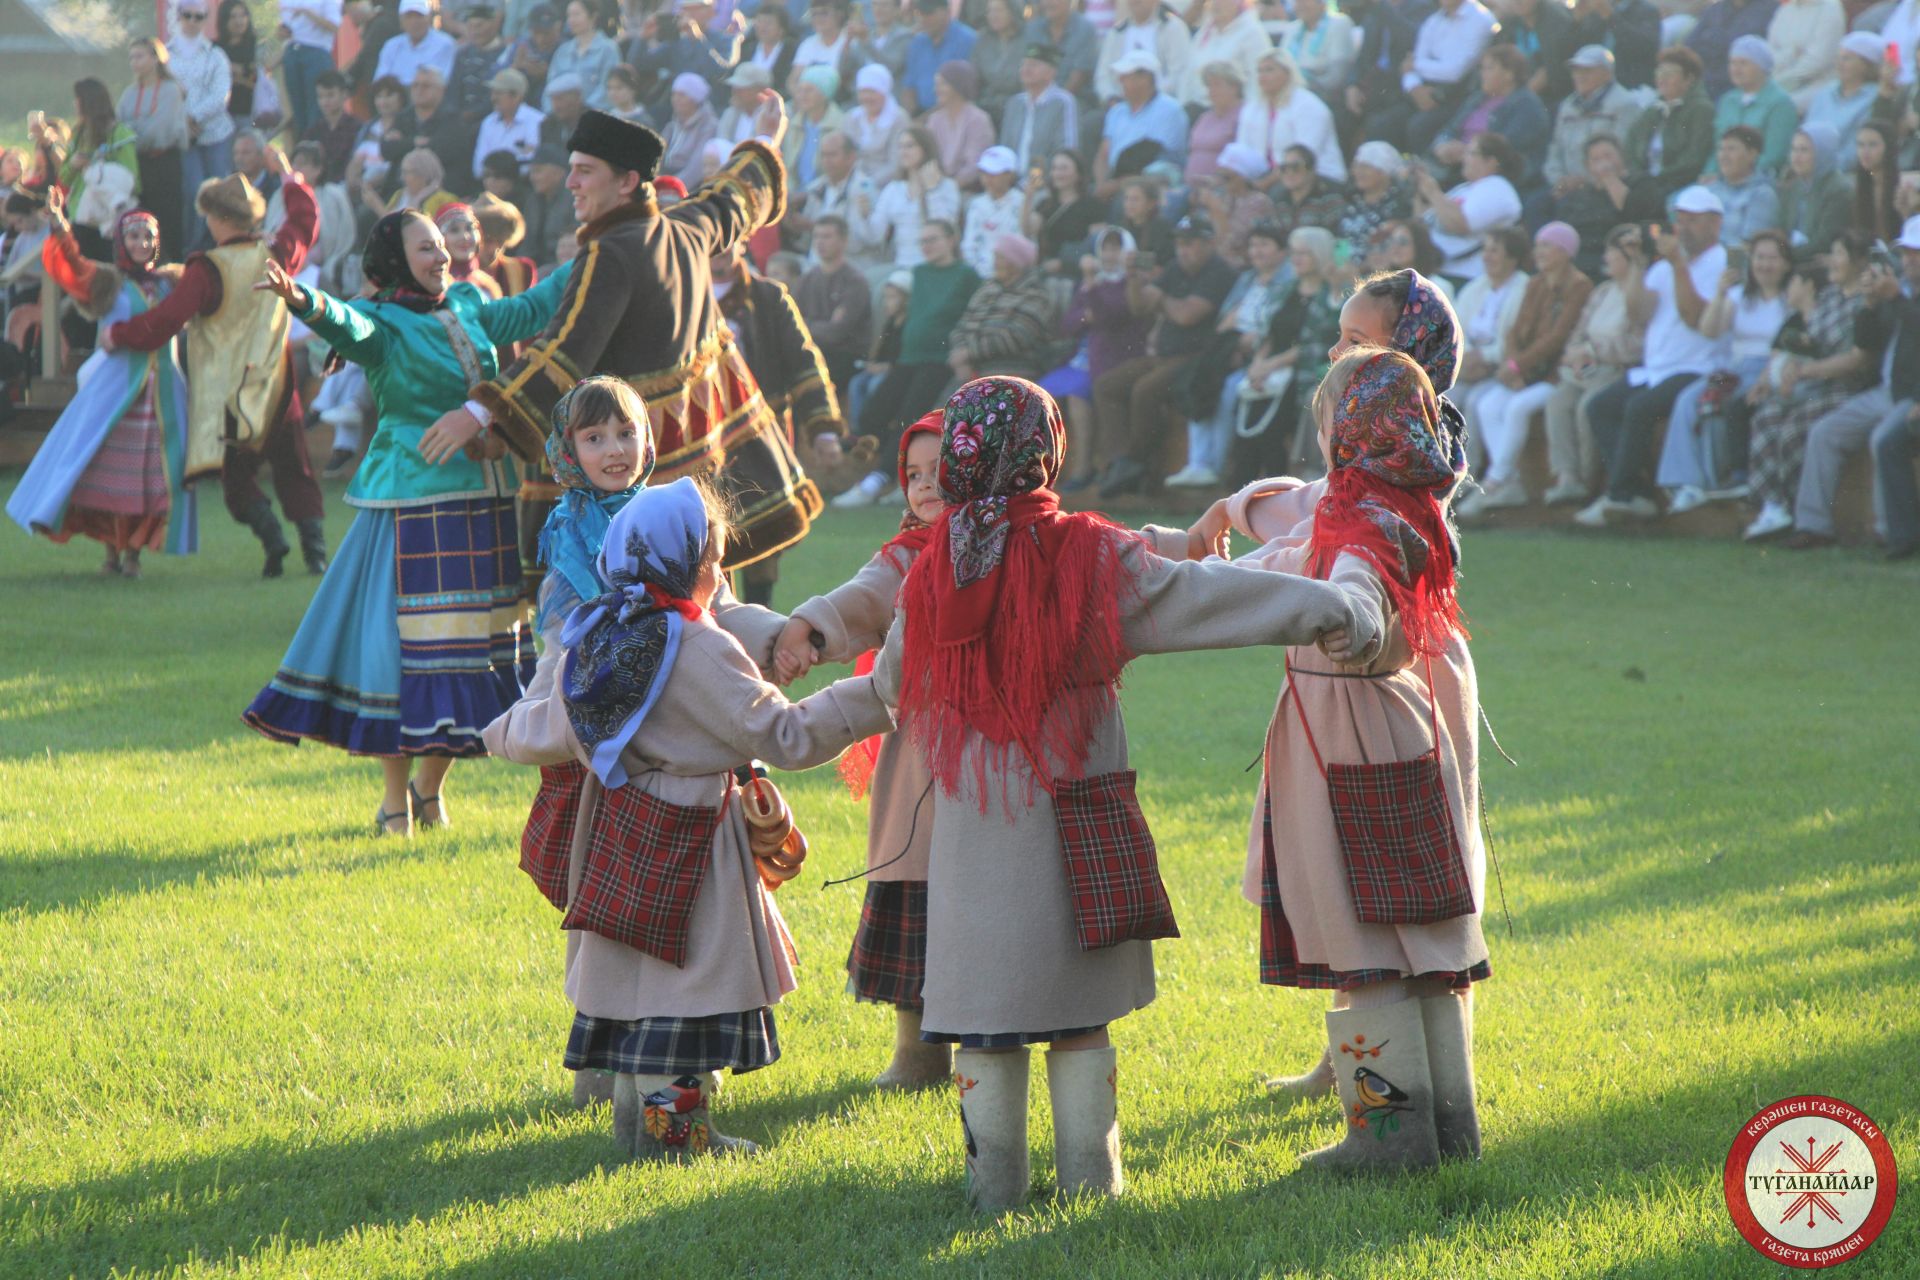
[942,291]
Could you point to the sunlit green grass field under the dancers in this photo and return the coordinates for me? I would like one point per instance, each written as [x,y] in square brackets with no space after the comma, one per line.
[243,1037]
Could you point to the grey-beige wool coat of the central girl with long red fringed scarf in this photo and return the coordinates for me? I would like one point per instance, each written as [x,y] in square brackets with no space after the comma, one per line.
[1003,955]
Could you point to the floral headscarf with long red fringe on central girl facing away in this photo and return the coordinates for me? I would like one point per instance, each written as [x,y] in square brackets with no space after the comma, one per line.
[1013,615]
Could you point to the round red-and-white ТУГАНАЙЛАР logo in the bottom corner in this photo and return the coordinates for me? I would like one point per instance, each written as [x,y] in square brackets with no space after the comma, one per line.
[1812,1181]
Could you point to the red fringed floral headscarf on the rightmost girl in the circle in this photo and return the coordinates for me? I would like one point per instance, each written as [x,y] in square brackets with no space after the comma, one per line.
[1387,490]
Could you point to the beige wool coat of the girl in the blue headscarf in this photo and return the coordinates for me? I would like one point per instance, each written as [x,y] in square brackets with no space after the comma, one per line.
[715,715]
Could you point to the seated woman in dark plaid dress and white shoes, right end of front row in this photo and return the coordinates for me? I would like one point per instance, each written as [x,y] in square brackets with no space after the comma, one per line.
[1808,379]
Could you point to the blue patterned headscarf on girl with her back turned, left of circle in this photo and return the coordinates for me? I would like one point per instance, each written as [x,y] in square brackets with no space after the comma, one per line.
[623,644]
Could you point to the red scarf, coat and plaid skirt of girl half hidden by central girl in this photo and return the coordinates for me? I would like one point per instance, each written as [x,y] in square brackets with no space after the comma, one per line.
[888,962]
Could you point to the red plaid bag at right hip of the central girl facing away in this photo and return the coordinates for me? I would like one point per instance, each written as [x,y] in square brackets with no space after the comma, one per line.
[1113,865]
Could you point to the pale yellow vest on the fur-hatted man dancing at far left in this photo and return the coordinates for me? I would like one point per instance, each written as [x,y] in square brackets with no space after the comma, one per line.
[235,362]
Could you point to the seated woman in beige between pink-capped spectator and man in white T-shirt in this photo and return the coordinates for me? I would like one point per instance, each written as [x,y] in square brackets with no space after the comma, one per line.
[1606,343]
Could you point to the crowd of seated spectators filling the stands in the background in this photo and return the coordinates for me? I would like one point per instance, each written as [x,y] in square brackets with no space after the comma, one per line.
[1679,235]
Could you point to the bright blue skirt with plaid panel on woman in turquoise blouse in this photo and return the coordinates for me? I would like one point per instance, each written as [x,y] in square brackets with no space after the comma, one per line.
[416,640]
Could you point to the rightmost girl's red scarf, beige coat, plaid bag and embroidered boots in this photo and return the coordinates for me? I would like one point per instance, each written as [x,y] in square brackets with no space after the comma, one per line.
[1360,859]
